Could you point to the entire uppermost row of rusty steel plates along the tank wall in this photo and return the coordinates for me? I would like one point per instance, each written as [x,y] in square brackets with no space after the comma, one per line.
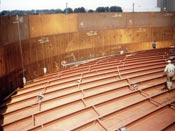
[44,25]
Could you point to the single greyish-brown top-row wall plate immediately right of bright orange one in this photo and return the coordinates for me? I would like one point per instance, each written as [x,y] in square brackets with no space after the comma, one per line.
[96,21]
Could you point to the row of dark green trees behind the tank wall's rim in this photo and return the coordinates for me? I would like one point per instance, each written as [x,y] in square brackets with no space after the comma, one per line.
[58,11]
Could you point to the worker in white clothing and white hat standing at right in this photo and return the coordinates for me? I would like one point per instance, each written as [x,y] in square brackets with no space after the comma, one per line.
[170,72]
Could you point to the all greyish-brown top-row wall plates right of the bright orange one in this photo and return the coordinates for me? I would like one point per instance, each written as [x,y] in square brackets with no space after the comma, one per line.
[104,21]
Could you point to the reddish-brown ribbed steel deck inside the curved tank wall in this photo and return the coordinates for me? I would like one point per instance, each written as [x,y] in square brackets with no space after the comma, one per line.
[121,91]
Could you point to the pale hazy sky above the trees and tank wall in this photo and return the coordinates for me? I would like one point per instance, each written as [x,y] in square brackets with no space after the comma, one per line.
[140,5]
